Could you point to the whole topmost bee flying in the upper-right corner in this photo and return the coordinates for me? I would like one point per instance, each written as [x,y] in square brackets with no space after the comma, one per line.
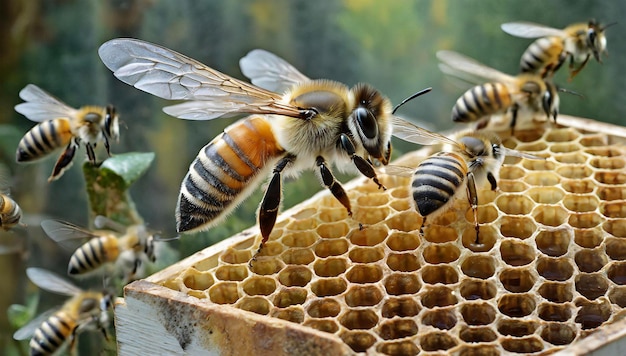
[544,56]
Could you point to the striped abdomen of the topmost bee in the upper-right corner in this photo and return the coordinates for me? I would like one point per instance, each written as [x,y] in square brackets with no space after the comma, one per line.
[543,55]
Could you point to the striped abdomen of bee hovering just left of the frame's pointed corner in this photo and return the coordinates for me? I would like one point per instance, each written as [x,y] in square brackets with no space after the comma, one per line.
[93,254]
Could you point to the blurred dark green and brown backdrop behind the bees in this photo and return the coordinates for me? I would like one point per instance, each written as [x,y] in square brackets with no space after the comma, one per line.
[389,44]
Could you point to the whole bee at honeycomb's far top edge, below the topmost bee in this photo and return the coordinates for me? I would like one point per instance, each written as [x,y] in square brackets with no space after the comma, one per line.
[524,95]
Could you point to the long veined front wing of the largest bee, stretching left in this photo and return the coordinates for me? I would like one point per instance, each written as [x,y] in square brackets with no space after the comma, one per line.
[170,75]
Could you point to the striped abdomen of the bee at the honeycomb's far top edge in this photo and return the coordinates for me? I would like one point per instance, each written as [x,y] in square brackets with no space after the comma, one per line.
[481,100]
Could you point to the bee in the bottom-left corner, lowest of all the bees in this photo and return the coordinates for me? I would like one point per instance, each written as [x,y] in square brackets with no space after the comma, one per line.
[85,310]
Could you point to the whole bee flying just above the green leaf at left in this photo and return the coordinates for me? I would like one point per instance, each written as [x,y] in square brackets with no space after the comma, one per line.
[62,126]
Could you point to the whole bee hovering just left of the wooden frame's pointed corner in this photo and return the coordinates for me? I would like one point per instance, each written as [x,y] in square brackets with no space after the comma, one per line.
[104,247]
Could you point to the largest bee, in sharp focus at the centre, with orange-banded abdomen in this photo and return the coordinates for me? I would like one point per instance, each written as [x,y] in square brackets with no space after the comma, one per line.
[314,123]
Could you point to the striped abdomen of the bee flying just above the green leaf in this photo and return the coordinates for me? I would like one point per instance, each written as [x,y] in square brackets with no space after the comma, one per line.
[44,138]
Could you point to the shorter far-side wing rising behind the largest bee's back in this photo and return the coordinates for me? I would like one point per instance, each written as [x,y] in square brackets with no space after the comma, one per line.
[270,72]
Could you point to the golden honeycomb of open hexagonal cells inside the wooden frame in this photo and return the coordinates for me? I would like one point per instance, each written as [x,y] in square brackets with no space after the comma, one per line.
[549,270]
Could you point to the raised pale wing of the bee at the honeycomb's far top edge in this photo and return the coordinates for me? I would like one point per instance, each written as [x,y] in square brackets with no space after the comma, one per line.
[464,67]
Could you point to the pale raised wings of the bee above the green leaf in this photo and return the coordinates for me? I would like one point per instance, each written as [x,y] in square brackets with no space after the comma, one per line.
[41,106]
